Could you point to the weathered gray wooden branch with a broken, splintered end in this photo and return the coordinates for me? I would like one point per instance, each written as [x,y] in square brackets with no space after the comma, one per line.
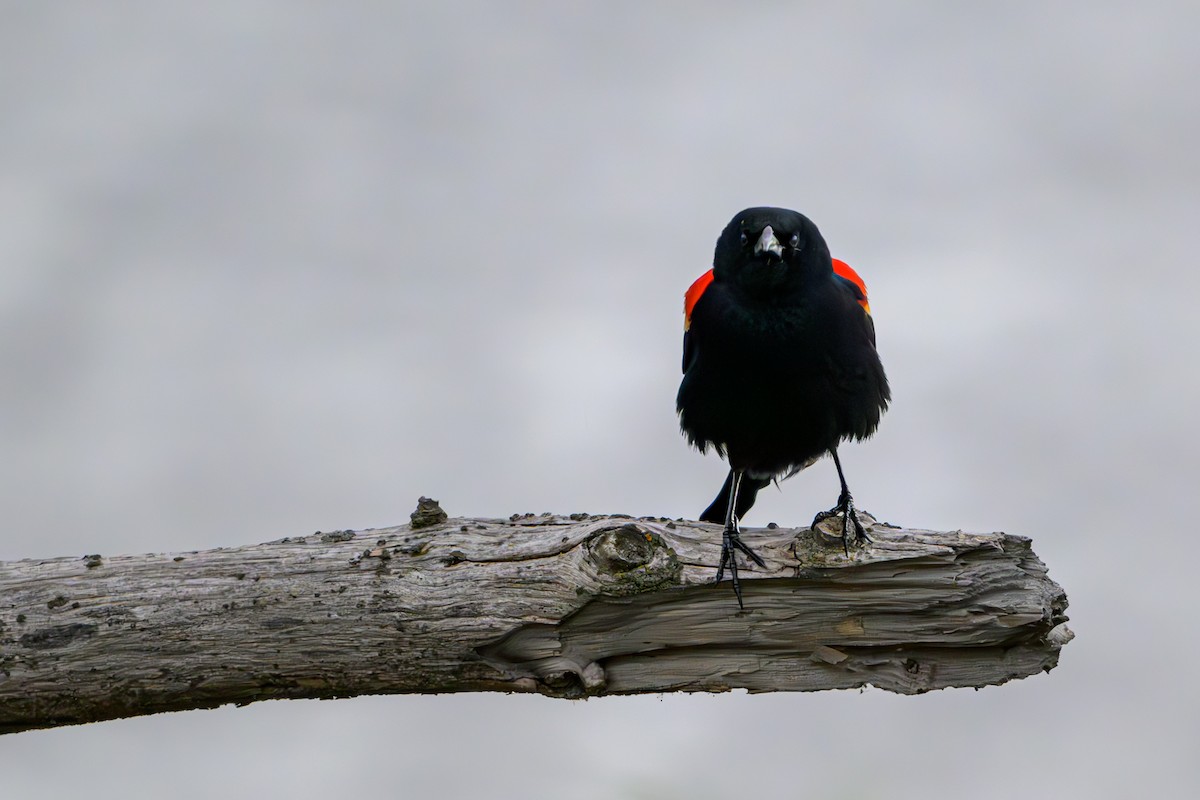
[568,607]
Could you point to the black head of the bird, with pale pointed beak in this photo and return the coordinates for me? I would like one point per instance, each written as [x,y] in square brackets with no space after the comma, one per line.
[770,251]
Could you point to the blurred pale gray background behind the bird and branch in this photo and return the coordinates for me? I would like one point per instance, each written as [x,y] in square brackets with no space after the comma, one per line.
[271,268]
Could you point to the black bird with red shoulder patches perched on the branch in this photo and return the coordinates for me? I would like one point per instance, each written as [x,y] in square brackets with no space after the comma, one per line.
[779,366]
